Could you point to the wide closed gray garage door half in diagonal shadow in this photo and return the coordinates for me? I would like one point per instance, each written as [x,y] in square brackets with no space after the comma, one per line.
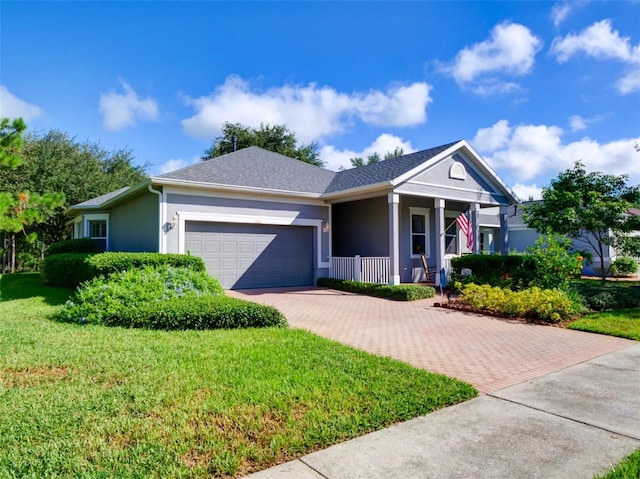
[244,256]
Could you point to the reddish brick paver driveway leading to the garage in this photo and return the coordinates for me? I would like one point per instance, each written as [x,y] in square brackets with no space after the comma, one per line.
[488,352]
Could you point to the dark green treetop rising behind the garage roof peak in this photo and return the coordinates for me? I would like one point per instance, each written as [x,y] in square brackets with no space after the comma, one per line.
[276,138]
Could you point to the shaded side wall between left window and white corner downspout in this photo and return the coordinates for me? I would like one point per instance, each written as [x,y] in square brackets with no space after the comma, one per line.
[133,226]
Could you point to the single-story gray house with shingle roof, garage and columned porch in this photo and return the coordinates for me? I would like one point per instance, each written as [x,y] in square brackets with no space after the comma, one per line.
[260,219]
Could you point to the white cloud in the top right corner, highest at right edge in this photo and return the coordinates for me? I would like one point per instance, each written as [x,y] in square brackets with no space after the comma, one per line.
[601,42]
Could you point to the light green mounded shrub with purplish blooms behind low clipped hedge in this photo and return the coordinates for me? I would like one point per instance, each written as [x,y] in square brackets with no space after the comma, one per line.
[106,299]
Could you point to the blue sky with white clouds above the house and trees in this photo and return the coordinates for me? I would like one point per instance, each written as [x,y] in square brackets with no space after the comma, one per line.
[533,86]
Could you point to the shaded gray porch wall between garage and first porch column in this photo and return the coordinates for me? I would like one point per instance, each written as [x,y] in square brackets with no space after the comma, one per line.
[361,227]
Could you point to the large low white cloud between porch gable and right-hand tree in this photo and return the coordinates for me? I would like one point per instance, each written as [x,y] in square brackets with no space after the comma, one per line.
[529,152]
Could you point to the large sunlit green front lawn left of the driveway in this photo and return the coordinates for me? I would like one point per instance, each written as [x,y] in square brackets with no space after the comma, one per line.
[92,401]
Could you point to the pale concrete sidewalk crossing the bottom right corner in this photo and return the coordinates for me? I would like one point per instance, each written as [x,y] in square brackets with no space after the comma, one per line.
[572,423]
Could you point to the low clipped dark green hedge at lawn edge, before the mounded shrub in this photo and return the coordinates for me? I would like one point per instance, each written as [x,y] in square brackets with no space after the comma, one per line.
[201,312]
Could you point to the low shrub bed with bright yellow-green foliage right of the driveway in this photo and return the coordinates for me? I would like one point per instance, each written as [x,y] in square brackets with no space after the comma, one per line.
[549,305]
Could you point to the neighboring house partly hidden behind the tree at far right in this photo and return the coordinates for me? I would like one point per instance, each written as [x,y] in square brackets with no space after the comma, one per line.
[521,237]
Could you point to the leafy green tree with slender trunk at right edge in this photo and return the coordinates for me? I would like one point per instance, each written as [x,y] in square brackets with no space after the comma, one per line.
[592,209]
